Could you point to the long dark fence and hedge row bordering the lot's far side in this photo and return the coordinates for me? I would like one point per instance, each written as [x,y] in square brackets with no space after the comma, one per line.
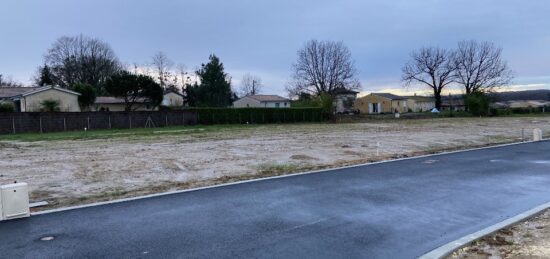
[73,121]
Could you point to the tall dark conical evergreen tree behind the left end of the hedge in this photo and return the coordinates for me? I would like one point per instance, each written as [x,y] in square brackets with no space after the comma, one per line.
[214,89]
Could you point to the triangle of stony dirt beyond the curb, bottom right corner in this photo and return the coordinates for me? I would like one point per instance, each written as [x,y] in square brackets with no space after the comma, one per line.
[529,239]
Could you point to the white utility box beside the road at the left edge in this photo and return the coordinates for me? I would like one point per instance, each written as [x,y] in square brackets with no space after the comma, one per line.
[14,201]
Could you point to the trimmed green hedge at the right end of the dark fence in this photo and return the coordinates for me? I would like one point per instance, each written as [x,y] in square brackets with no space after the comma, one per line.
[258,115]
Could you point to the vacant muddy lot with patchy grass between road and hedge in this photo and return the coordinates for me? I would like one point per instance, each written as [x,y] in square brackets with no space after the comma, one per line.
[80,168]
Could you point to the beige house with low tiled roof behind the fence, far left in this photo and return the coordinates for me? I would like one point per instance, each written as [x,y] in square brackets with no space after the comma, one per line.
[30,99]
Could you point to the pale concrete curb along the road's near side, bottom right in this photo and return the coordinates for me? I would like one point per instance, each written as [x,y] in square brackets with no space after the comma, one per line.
[450,247]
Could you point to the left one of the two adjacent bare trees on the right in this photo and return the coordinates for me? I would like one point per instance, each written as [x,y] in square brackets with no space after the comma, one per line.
[432,67]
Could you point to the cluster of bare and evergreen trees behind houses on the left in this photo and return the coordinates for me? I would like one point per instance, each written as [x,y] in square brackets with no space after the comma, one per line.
[90,67]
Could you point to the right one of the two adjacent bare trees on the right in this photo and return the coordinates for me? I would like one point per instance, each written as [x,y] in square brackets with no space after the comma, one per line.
[479,67]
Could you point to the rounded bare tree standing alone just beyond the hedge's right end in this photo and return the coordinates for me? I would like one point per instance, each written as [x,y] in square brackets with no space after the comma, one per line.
[323,66]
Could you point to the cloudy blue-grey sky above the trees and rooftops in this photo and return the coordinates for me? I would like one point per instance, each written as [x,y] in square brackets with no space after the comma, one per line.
[262,37]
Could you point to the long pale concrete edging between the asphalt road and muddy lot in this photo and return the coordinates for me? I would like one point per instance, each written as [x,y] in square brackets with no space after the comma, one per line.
[274,177]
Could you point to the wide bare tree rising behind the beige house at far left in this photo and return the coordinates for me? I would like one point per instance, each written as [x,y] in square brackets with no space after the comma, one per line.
[81,59]
